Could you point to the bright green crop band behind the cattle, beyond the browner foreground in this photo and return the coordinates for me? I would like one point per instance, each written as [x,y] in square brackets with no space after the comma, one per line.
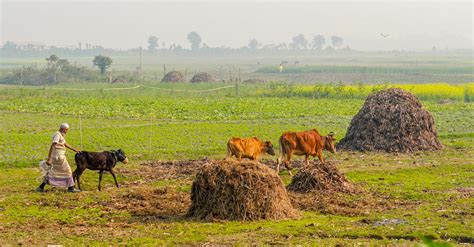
[198,126]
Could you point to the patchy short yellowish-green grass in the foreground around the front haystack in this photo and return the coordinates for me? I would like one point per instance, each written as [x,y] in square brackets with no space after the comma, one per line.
[437,210]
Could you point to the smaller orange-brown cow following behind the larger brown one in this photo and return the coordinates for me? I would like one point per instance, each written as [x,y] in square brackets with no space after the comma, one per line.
[251,148]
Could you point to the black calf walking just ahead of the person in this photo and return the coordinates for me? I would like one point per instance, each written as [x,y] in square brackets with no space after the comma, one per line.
[101,161]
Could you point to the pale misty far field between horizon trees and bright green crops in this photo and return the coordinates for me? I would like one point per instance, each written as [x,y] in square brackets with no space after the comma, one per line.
[307,68]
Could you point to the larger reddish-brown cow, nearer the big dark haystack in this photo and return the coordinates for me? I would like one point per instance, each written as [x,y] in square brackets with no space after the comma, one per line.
[304,143]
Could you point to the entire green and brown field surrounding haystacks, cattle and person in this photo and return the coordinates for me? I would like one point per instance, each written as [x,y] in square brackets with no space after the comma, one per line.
[408,199]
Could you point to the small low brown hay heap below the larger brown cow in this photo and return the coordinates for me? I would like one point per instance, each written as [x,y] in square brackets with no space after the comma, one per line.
[320,177]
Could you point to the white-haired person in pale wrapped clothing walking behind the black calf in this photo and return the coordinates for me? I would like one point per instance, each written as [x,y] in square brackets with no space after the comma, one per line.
[59,174]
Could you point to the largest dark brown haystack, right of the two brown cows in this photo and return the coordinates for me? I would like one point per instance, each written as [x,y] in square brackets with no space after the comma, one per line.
[392,121]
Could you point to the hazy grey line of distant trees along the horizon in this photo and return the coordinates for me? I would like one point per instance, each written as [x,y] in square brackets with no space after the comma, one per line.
[196,46]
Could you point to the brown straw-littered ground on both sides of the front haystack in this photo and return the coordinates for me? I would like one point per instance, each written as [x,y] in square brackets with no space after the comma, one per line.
[162,203]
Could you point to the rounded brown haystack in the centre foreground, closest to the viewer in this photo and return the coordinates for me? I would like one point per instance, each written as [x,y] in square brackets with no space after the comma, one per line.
[230,190]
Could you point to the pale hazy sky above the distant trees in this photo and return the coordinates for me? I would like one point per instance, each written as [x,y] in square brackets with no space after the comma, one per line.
[125,24]
